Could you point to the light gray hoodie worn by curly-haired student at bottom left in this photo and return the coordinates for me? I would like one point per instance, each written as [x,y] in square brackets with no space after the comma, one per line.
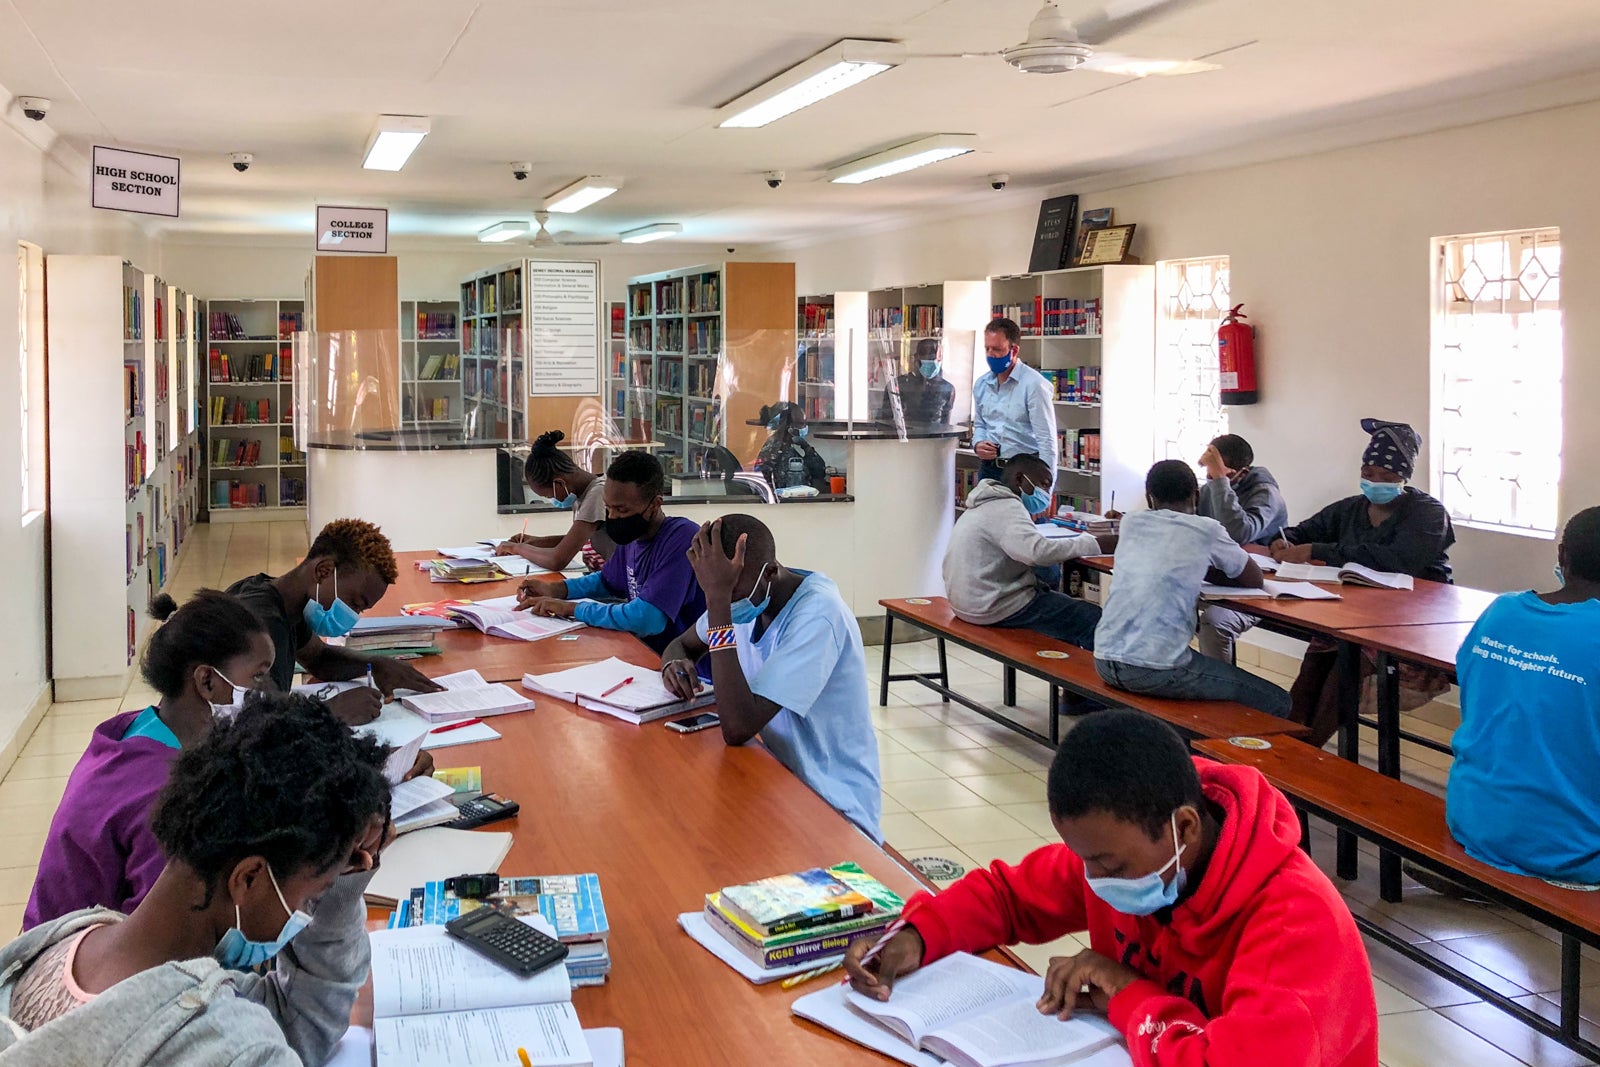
[198,1015]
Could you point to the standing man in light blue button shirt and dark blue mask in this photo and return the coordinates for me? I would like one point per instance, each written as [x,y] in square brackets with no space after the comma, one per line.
[1014,406]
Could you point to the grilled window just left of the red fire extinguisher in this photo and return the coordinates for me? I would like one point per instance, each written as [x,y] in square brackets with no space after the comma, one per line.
[1193,303]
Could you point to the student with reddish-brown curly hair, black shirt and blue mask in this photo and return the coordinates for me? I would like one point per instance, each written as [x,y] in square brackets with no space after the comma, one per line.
[348,570]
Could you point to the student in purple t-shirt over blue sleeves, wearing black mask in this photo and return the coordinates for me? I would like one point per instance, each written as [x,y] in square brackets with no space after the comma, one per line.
[649,573]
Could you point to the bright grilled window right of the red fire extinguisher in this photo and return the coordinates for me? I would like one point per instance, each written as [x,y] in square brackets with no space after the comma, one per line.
[1497,398]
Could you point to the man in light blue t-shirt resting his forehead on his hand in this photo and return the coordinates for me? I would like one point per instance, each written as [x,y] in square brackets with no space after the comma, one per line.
[788,665]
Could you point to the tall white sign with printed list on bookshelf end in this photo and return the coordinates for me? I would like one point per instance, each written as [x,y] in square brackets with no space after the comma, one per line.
[564,329]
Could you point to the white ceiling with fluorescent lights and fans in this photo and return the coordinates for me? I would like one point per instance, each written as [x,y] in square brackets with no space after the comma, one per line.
[630,87]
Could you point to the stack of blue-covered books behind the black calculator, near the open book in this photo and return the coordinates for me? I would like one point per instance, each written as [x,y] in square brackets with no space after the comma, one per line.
[570,903]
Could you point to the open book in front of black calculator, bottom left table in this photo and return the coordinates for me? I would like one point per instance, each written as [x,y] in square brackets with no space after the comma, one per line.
[439,1002]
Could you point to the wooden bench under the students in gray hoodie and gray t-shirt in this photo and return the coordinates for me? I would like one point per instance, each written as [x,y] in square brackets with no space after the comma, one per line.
[1058,665]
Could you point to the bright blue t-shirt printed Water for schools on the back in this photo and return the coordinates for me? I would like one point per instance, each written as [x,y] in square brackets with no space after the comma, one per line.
[1524,794]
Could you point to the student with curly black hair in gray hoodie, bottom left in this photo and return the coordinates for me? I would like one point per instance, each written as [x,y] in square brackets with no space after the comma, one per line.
[273,825]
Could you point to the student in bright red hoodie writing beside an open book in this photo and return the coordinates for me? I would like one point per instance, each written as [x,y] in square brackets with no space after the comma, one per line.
[1214,938]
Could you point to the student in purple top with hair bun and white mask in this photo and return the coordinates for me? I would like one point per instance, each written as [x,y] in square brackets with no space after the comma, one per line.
[102,852]
